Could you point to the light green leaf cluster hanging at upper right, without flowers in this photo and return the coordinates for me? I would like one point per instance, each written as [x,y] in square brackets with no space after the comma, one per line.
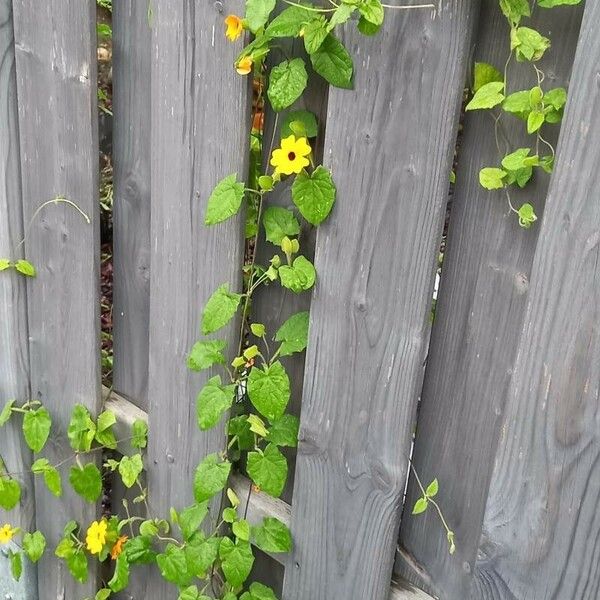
[536,106]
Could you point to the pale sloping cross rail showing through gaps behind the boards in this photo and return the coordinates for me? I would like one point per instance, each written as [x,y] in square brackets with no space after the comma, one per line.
[255,504]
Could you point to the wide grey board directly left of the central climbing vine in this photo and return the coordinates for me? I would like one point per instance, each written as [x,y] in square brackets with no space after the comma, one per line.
[200,134]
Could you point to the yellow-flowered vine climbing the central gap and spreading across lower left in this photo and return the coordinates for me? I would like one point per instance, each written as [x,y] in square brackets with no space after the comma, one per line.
[253,388]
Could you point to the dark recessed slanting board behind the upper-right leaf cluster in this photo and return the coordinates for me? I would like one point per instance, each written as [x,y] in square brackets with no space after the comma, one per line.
[478,320]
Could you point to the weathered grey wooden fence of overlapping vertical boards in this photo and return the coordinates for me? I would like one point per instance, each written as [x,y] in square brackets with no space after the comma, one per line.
[502,389]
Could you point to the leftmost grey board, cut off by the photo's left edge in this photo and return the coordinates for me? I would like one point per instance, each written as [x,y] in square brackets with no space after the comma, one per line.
[14,353]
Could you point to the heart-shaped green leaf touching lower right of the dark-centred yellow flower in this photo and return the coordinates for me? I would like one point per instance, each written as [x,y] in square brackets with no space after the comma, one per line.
[314,194]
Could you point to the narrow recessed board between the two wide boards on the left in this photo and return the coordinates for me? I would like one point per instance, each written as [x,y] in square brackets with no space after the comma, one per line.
[132,51]
